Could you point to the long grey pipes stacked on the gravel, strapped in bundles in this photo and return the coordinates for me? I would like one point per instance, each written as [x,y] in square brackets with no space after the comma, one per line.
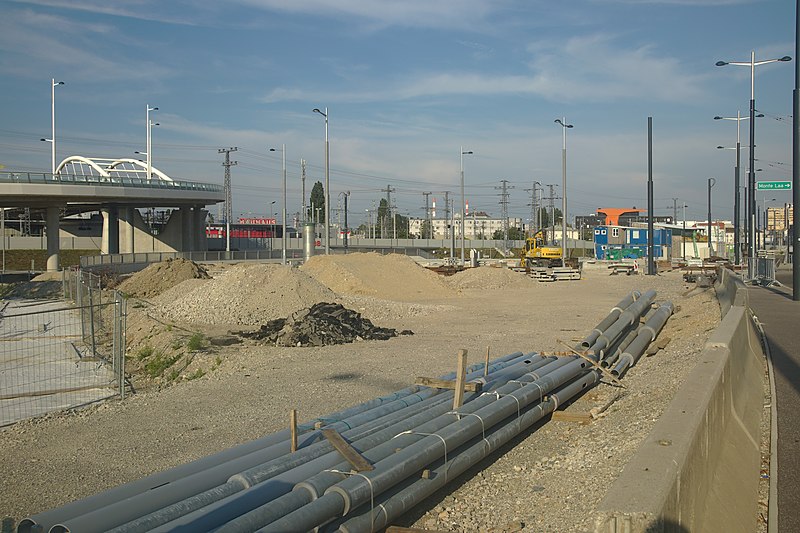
[414,438]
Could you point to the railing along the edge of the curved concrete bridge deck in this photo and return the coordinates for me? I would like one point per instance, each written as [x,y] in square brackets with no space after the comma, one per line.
[40,178]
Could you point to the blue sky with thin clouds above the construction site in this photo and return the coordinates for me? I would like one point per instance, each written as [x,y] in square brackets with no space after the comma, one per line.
[407,85]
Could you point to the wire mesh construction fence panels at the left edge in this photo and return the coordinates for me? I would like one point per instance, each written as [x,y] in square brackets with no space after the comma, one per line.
[61,354]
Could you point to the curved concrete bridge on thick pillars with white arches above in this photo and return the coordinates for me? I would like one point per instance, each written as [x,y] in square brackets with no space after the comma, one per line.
[116,188]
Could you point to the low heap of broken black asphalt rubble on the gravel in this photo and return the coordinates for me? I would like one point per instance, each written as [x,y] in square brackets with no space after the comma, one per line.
[320,325]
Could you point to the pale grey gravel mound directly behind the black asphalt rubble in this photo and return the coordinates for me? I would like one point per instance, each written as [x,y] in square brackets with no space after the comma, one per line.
[244,295]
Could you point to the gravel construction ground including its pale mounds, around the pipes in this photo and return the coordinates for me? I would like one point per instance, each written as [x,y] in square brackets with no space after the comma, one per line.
[220,394]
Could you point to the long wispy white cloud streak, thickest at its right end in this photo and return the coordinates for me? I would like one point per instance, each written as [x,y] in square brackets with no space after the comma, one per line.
[590,68]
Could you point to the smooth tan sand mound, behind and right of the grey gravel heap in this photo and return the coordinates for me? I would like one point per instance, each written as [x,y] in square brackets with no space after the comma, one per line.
[389,277]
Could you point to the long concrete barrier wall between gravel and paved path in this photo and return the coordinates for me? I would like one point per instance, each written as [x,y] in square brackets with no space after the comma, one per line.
[698,470]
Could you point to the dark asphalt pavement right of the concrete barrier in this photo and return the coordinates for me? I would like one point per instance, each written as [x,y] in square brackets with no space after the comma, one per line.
[781,318]
